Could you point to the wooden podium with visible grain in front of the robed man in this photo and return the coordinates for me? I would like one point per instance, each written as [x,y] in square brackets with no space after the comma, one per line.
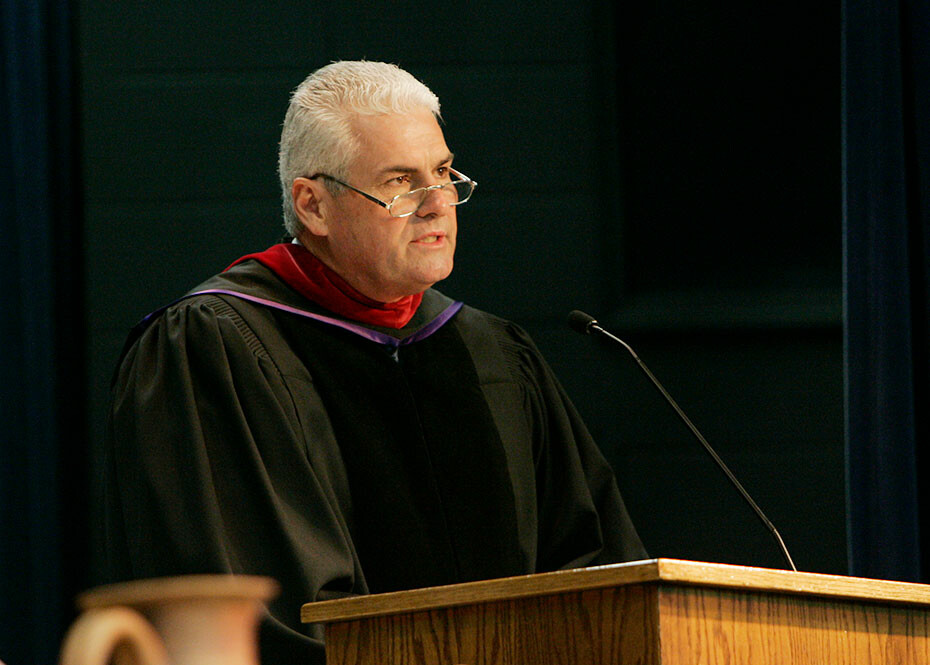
[661,611]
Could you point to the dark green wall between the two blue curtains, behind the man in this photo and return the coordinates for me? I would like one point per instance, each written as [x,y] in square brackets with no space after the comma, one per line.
[673,169]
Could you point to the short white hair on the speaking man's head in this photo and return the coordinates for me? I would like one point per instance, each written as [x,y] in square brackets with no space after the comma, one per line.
[317,136]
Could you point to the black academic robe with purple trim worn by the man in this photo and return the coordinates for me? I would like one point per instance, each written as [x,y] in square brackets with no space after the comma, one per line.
[246,438]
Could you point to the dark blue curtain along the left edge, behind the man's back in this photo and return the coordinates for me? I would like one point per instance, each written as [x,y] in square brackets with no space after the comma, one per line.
[40,340]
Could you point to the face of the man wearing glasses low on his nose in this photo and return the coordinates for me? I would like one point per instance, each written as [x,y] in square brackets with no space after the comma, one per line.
[385,257]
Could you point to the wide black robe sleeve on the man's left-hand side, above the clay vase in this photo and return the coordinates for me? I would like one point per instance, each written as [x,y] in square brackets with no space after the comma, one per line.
[208,470]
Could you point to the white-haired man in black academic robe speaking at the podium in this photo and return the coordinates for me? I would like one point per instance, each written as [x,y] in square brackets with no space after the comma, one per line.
[319,414]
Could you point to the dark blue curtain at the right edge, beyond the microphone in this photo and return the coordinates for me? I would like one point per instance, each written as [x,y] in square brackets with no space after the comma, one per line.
[886,201]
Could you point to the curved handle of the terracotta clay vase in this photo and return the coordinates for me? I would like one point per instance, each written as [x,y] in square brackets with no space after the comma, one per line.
[113,634]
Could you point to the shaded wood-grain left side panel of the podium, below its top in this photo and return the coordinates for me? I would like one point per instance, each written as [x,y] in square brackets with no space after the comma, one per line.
[600,626]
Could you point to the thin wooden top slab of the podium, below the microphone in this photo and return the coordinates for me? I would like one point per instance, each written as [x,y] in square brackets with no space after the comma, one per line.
[651,571]
